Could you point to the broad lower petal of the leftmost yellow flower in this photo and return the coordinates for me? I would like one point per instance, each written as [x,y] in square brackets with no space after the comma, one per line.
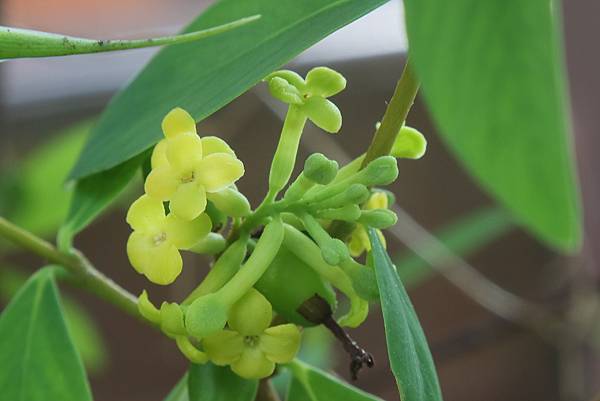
[161,263]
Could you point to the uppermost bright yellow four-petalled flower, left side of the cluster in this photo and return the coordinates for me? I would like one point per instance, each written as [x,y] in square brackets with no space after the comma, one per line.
[185,167]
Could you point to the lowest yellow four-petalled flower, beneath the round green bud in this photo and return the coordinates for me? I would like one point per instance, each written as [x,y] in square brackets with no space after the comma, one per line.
[250,346]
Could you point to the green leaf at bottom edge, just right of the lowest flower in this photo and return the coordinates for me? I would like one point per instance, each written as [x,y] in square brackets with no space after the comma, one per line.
[312,384]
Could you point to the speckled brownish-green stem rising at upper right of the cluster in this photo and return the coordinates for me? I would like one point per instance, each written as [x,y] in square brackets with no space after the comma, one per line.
[395,115]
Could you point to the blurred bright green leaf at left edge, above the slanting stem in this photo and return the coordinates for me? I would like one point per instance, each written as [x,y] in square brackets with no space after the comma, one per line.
[33,188]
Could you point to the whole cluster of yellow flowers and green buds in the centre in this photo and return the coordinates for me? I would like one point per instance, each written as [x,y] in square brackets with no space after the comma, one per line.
[289,256]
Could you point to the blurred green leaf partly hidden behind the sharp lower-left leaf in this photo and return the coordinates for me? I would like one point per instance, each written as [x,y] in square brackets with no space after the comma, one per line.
[83,329]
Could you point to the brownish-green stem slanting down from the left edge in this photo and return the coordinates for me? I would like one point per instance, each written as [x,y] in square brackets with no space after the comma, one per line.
[83,273]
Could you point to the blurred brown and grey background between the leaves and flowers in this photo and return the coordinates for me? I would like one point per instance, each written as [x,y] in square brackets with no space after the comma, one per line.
[479,356]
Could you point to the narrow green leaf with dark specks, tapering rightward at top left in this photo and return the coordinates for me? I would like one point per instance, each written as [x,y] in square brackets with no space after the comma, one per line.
[19,43]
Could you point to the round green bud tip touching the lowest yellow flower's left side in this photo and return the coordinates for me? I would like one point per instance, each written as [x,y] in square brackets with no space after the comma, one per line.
[206,315]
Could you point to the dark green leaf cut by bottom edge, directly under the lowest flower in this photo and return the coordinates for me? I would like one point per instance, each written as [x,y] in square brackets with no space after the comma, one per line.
[209,382]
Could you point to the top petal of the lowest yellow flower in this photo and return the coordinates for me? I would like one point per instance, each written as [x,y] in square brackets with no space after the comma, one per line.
[251,314]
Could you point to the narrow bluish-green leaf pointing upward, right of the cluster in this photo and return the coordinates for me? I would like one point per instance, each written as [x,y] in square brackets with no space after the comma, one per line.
[408,351]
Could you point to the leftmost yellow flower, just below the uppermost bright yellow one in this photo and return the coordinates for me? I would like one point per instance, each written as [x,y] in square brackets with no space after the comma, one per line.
[153,247]
